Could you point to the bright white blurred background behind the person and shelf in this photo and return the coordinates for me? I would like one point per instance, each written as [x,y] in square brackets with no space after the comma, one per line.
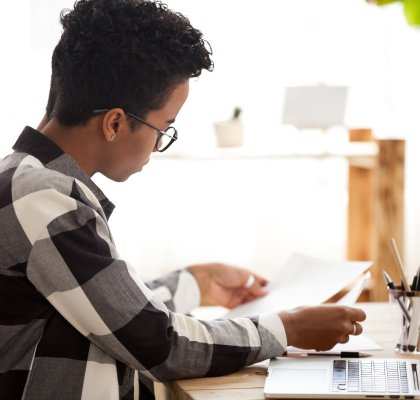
[250,212]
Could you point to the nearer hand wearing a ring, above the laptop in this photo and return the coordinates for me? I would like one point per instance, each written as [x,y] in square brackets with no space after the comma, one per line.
[321,327]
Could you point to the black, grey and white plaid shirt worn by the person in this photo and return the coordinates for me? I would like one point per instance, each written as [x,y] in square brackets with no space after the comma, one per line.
[76,322]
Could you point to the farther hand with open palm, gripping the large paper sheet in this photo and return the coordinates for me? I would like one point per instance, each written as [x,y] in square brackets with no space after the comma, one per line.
[224,285]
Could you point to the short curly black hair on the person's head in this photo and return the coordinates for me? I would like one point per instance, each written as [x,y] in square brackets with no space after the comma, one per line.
[128,54]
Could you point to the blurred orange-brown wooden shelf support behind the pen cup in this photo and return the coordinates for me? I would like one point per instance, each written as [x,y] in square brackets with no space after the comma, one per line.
[376,211]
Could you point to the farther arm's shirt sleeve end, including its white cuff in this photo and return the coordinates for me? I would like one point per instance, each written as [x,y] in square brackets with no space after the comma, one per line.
[179,291]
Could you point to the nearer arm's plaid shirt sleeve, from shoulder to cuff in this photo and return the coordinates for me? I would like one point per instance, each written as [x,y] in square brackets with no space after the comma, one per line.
[75,265]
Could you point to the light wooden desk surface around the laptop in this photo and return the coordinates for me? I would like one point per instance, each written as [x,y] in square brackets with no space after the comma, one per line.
[249,383]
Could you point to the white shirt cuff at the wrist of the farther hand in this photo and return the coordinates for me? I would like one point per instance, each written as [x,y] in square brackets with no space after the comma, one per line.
[187,295]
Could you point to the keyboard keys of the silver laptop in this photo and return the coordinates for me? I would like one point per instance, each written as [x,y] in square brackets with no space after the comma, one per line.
[370,376]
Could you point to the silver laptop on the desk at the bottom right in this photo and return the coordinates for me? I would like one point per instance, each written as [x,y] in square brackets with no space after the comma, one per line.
[350,378]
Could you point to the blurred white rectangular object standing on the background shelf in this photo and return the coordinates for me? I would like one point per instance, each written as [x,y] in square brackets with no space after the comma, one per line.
[314,106]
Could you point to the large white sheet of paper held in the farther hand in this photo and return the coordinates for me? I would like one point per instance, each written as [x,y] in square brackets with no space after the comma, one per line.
[303,281]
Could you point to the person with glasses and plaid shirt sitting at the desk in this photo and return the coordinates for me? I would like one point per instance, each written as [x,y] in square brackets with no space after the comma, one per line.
[76,322]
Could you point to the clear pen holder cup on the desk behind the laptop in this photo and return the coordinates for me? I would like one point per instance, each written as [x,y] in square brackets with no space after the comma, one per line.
[405,313]
